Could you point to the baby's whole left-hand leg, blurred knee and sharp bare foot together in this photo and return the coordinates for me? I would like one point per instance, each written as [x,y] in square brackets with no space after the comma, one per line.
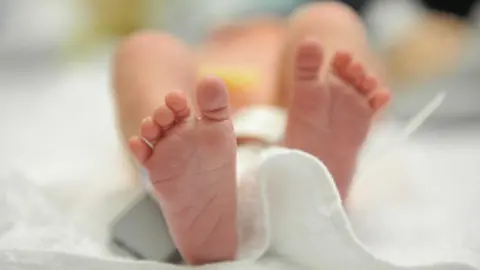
[192,164]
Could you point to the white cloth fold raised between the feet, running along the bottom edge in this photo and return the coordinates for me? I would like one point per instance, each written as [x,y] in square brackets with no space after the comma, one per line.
[295,221]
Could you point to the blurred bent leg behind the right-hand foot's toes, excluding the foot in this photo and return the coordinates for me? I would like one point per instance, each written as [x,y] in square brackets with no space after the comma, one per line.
[338,28]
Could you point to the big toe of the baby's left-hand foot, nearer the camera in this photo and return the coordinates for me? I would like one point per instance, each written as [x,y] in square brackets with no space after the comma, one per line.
[212,99]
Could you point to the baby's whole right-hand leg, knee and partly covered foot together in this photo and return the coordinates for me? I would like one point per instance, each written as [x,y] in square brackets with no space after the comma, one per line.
[332,99]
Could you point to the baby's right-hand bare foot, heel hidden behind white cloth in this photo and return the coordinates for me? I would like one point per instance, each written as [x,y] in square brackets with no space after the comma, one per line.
[330,117]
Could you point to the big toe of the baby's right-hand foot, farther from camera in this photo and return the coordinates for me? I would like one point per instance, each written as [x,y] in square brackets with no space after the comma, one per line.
[308,60]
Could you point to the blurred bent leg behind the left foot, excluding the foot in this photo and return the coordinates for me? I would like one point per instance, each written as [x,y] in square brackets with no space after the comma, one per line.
[147,66]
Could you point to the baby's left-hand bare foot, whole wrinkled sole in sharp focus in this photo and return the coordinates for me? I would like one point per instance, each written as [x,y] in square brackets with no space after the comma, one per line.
[192,168]
